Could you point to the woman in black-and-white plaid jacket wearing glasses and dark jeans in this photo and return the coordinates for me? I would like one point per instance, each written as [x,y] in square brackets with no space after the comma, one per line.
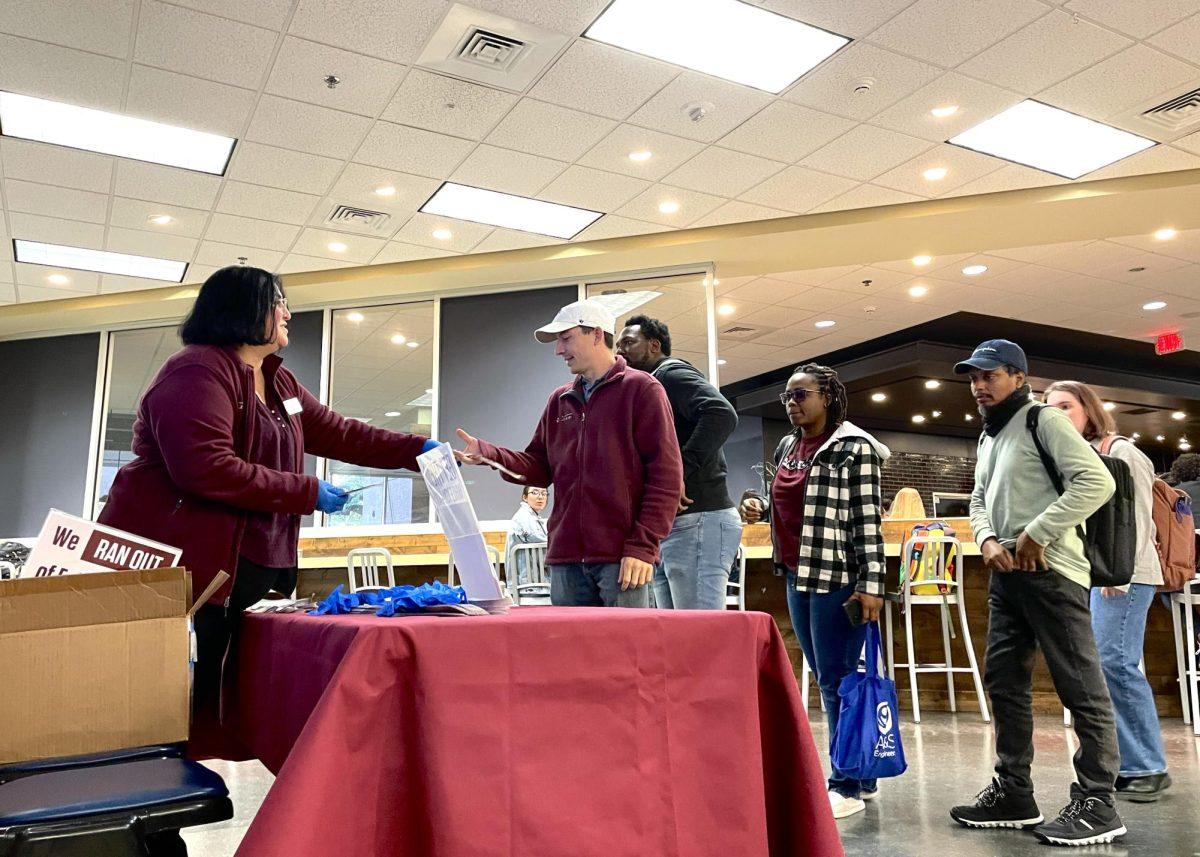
[825,512]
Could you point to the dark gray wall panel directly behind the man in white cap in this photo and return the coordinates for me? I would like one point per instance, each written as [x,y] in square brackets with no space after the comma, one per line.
[495,380]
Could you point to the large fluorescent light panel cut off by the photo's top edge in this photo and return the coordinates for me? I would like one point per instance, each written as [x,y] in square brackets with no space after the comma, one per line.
[727,39]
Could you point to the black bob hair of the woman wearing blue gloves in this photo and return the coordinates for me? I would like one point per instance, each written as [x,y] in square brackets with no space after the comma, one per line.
[235,308]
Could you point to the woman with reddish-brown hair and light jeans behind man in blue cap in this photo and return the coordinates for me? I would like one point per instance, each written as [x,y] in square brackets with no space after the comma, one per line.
[1119,615]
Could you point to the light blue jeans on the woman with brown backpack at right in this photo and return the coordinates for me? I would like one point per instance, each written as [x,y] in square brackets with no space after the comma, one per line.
[1119,624]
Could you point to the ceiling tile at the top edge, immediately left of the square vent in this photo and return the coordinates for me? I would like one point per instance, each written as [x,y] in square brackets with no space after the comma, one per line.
[377,28]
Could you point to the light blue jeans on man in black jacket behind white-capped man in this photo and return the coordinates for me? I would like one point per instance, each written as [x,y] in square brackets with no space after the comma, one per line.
[698,555]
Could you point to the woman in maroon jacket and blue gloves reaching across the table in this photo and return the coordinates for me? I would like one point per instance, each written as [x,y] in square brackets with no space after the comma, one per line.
[220,436]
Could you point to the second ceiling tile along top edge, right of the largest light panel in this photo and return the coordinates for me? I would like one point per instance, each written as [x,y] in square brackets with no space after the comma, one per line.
[949,32]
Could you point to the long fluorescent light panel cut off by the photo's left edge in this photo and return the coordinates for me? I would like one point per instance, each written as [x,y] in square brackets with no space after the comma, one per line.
[111,134]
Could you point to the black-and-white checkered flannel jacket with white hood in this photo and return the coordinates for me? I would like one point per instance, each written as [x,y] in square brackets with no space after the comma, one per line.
[843,538]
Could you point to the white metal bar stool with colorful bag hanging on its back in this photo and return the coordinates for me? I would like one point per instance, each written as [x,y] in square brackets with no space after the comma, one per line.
[950,596]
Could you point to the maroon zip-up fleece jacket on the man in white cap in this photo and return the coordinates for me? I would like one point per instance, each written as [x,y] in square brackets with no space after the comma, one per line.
[615,465]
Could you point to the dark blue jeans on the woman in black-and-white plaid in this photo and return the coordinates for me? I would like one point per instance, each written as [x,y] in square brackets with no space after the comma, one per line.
[832,648]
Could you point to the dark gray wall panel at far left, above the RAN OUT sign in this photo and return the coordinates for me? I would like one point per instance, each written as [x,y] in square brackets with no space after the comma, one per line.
[49,394]
